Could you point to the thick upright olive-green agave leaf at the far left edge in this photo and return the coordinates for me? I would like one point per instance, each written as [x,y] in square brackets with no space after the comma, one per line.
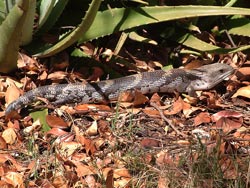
[11,36]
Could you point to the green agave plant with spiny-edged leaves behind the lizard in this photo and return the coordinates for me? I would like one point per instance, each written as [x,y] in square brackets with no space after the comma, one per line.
[17,25]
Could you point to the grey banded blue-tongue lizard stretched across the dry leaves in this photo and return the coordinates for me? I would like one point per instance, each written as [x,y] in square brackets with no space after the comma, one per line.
[180,80]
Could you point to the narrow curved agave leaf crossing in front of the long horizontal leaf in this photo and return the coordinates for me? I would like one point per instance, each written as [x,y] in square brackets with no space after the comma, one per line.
[74,35]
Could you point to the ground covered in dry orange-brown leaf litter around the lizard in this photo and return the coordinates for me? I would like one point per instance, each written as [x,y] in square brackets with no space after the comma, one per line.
[167,140]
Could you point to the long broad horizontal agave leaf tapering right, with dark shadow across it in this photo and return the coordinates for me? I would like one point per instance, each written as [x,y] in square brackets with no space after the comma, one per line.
[121,18]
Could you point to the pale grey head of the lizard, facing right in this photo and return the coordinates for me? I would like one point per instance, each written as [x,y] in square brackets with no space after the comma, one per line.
[209,76]
